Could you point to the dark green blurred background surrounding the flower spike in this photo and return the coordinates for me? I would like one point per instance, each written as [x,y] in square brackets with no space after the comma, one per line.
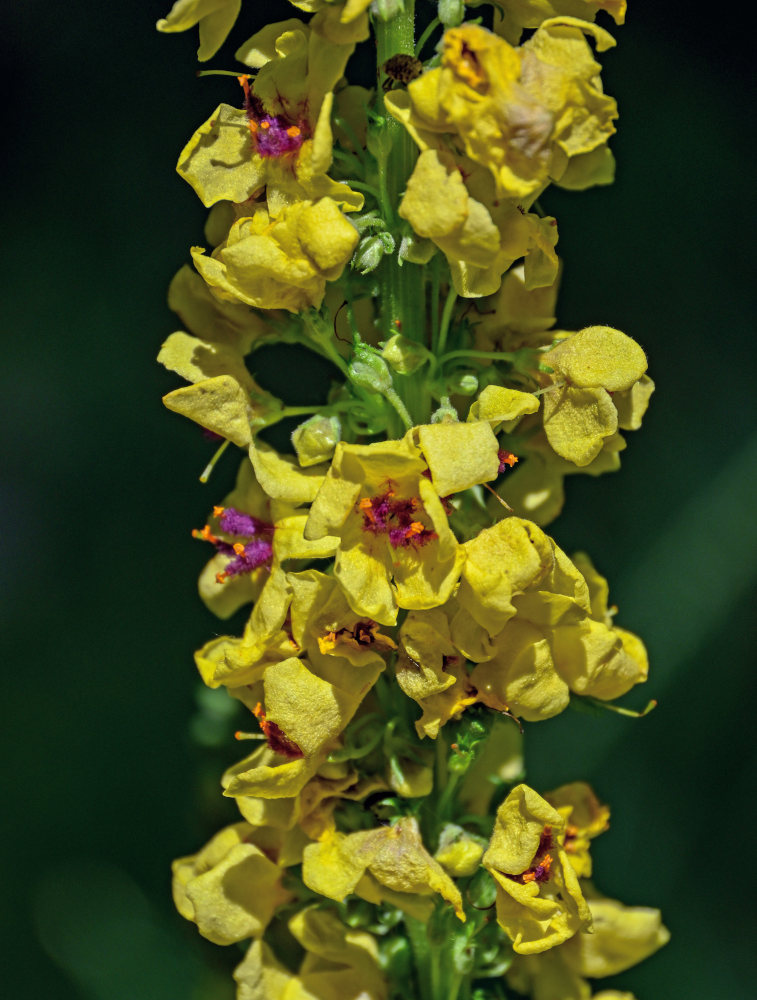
[109,760]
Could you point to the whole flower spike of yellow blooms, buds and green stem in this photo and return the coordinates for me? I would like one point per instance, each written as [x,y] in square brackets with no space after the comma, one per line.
[407,617]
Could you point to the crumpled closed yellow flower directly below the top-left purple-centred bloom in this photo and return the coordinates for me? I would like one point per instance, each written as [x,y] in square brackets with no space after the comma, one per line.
[281,263]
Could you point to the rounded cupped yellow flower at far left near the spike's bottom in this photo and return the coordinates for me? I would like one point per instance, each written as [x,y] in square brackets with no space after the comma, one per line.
[231,888]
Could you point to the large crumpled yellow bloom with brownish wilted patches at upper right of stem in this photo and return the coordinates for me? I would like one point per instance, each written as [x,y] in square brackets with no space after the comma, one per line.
[529,115]
